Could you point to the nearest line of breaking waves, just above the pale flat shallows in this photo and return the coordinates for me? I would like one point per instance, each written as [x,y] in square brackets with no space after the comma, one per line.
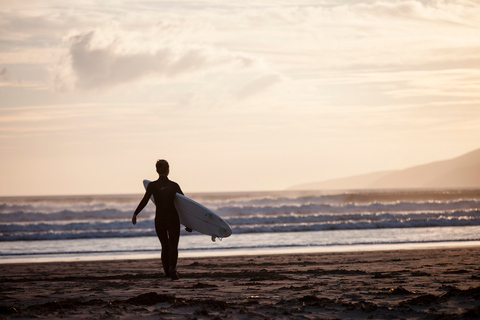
[245,224]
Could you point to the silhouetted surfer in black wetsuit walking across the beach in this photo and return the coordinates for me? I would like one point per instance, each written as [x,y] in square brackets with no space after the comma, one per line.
[167,222]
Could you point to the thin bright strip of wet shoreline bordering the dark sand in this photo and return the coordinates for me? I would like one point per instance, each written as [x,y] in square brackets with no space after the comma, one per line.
[52,258]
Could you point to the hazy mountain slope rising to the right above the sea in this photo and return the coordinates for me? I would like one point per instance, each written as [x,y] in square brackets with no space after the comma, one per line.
[460,172]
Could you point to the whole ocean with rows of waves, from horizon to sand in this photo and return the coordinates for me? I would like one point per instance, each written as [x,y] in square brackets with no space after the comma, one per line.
[99,226]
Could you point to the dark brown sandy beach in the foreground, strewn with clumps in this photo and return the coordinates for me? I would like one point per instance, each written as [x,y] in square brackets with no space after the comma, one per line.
[403,284]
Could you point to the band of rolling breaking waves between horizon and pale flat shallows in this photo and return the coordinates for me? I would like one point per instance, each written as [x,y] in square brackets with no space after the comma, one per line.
[109,216]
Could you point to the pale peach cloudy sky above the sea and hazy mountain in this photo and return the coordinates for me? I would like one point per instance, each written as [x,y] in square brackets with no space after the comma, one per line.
[236,95]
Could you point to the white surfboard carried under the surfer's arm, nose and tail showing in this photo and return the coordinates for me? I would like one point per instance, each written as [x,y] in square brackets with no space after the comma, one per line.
[197,217]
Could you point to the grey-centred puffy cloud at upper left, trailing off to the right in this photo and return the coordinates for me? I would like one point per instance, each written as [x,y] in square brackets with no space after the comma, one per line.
[99,66]
